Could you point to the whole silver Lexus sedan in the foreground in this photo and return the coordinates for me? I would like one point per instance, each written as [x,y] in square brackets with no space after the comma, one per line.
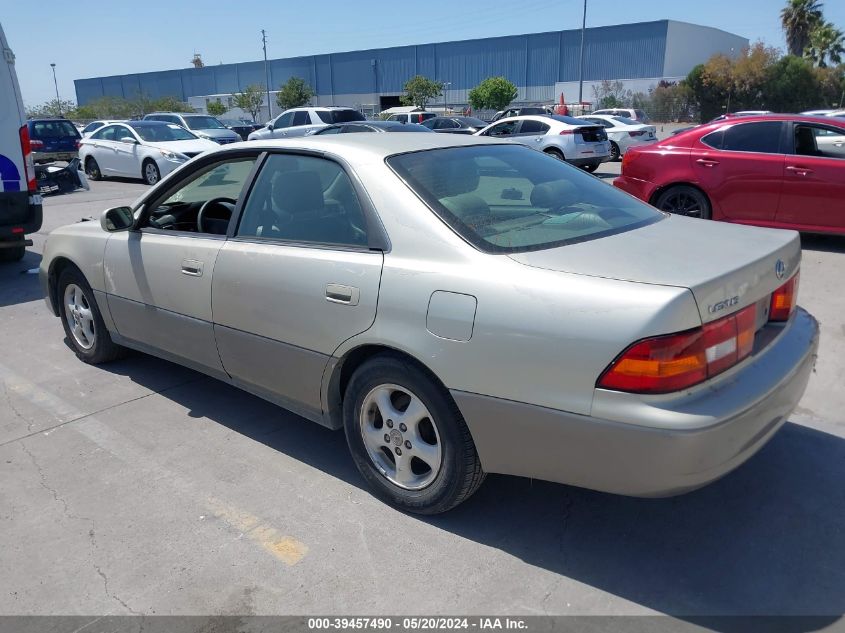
[458,305]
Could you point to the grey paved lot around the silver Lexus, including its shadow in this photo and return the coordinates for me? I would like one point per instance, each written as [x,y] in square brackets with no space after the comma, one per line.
[143,487]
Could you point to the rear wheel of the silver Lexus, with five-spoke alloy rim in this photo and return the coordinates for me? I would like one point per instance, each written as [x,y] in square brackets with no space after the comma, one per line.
[408,438]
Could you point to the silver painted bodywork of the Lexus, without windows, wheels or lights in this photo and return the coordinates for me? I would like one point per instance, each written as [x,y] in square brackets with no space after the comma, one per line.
[519,340]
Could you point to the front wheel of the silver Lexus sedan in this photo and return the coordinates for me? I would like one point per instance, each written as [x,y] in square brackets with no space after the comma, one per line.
[82,321]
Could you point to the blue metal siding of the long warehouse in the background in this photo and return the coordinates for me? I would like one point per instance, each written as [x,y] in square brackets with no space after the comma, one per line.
[533,62]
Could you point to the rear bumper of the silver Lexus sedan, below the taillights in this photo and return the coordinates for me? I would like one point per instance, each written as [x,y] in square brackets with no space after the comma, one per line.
[733,418]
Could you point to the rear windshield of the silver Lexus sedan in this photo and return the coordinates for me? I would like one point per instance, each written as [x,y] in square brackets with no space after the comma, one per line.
[506,199]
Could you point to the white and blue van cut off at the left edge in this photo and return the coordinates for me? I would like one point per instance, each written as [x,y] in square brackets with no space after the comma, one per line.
[20,203]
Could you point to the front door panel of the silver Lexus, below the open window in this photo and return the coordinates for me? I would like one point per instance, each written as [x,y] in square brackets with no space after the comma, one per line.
[156,296]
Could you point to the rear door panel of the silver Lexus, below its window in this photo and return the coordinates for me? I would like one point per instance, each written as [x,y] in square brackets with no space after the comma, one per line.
[276,319]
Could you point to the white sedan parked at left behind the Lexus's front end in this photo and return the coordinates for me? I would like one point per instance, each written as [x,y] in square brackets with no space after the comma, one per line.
[139,149]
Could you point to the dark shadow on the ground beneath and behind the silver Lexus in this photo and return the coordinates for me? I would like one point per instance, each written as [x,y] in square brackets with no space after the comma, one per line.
[767,539]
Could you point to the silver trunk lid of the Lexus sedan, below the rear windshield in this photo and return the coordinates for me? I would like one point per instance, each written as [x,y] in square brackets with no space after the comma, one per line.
[718,262]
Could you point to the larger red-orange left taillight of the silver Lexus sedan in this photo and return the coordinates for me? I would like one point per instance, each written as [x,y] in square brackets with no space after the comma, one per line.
[677,361]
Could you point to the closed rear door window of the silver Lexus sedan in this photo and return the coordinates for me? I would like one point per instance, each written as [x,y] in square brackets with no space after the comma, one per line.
[304,199]
